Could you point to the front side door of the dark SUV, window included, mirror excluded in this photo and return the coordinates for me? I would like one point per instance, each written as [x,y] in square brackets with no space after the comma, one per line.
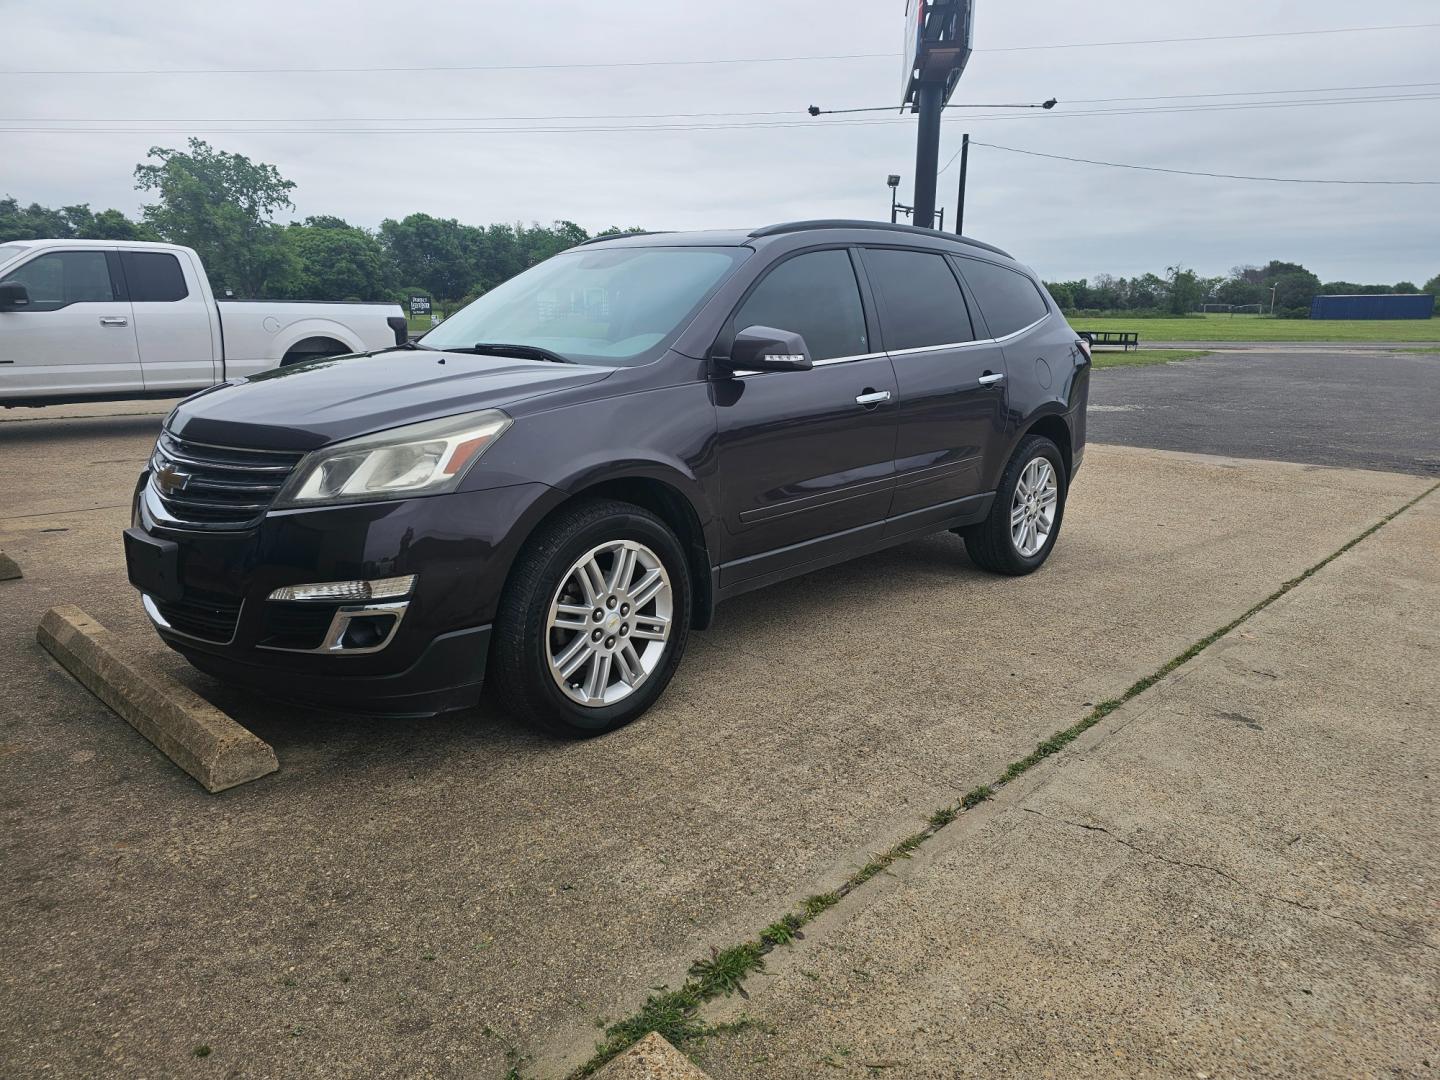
[807,459]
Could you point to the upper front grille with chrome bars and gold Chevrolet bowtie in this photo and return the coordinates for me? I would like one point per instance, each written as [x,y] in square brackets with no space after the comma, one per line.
[217,487]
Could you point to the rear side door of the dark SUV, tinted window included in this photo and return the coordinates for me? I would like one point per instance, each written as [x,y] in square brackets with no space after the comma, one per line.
[951,423]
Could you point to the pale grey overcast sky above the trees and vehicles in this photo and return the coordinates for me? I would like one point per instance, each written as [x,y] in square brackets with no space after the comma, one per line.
[1065,220]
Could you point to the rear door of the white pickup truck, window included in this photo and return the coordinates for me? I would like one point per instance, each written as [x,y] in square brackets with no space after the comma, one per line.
[172,322]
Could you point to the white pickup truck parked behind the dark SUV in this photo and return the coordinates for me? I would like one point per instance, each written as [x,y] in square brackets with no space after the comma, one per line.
[96,320]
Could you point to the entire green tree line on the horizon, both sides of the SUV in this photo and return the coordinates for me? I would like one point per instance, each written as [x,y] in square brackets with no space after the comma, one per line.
[224,205]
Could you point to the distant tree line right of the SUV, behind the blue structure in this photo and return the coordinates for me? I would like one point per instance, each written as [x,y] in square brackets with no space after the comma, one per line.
[1288,287]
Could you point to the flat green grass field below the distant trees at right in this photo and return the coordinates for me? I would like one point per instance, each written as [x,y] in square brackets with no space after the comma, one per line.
[1264,329]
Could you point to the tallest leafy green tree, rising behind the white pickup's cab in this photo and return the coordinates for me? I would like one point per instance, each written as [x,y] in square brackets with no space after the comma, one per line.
[222,205]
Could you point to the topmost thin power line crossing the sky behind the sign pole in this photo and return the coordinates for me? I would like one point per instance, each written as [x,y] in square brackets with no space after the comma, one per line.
[695,63]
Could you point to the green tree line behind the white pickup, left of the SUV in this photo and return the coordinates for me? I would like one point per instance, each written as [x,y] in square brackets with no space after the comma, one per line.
[224,205]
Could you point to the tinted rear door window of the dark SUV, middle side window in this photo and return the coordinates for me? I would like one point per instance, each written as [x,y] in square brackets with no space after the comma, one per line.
[922,300]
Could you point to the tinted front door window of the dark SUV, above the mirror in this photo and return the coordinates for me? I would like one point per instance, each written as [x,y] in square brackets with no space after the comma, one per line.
[814,296]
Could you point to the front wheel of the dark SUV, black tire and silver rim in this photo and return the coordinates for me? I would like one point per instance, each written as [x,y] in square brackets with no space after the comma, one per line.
[528,646]
